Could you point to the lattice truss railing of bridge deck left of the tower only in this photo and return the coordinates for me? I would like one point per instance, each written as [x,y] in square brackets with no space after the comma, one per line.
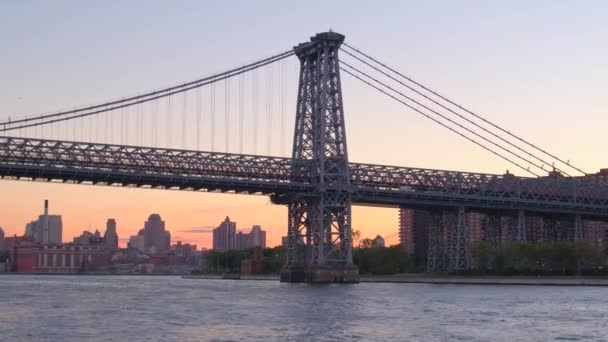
[142,160]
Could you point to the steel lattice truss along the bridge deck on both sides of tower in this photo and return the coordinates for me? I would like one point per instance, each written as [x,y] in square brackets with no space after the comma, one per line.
[226,167]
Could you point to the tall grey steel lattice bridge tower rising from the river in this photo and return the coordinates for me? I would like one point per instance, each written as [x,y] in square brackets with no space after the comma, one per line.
[319,223]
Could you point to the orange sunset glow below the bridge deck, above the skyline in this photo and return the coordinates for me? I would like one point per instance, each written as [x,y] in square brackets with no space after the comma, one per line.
[89,207]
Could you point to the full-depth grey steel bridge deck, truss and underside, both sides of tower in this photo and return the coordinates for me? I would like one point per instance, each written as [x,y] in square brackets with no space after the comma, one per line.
[103,164]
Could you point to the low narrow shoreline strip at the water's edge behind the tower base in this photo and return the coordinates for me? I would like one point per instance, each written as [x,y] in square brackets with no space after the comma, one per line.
[445,279]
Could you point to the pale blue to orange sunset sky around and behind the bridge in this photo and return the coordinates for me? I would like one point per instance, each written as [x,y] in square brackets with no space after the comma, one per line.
[536,68]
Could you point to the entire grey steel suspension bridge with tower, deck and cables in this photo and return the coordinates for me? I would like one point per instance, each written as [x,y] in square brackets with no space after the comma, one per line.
[154,139]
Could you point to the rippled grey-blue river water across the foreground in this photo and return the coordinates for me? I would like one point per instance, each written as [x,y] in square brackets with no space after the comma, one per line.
[164,308]
